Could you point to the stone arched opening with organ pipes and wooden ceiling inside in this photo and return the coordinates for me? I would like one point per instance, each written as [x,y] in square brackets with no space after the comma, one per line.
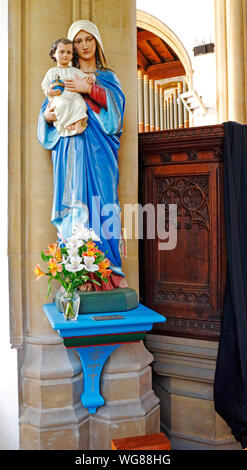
[164,73]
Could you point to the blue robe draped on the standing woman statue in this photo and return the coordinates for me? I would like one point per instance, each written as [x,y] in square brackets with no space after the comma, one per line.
[85,171]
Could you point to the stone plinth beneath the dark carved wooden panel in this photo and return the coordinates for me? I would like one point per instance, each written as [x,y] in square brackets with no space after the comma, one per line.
[183,378]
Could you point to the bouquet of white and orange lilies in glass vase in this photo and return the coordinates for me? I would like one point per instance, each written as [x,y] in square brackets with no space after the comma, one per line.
[70,263]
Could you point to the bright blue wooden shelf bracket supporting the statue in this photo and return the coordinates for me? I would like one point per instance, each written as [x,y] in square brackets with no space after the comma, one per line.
[96,336]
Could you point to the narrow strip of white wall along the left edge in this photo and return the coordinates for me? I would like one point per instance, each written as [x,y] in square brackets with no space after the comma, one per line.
[9,430]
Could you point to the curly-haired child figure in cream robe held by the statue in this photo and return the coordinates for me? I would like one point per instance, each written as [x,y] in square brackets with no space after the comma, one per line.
[69,107]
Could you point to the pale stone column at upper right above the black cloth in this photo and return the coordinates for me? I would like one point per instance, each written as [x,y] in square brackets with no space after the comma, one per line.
[231,68]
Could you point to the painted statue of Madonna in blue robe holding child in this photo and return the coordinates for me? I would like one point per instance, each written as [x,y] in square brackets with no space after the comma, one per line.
[84,141]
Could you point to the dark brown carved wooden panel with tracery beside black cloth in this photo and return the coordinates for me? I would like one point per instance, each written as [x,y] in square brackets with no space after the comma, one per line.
[186,284]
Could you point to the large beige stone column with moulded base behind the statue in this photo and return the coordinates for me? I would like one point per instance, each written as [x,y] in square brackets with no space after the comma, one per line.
[51,414]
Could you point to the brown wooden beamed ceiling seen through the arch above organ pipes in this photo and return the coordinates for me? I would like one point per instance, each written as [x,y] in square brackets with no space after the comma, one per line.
[155,57]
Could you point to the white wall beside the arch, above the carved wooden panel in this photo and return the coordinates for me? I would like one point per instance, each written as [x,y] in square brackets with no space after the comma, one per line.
[193,22]
